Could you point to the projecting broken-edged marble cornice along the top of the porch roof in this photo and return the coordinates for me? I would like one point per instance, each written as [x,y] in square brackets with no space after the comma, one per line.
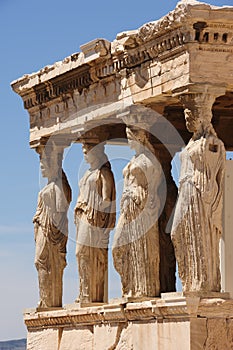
[204,27]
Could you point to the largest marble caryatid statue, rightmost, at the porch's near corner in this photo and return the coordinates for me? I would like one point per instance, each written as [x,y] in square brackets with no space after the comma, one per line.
[197,224]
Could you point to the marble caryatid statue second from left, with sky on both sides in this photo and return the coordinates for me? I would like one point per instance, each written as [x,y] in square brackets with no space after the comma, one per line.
[95,216]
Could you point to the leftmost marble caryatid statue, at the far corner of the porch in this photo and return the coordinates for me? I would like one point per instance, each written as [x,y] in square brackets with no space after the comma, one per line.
[51,227]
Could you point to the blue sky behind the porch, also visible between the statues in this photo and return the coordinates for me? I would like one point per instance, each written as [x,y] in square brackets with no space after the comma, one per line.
[33,35]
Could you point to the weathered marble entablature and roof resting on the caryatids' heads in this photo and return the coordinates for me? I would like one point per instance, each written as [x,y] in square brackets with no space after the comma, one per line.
[190,46]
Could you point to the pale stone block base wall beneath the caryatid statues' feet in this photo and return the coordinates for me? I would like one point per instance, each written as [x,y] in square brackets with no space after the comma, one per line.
[176,321]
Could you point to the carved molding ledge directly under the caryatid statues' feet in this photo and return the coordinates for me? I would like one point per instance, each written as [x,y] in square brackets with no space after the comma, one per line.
[175,305]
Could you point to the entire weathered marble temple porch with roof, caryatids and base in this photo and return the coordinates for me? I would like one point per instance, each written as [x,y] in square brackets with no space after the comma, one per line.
[153,87]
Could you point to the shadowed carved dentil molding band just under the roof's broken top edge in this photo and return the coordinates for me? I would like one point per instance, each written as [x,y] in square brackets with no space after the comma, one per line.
[164,47]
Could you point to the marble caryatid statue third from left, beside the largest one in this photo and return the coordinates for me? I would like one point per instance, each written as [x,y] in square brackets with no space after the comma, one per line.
[136,253]
